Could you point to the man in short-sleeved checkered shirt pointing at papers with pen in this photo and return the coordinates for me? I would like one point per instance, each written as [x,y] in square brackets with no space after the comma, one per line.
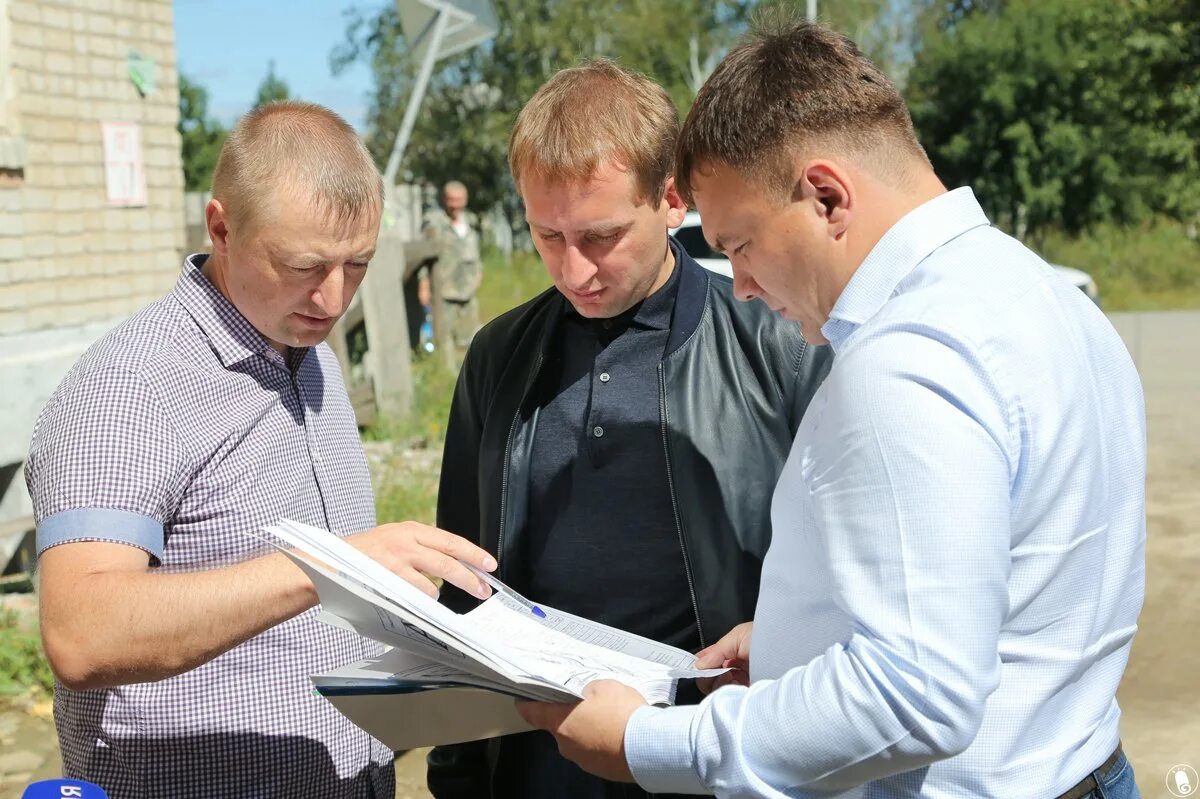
[182,646]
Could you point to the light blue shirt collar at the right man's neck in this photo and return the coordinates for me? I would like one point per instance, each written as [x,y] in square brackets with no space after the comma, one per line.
[908,243]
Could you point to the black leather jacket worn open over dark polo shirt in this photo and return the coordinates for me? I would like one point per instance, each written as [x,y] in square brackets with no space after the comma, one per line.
[735,382]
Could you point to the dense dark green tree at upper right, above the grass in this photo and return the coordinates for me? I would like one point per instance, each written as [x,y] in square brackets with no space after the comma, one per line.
[1066,113]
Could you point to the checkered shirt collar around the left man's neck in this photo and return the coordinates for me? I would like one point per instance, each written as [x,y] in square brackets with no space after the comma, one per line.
[229,332]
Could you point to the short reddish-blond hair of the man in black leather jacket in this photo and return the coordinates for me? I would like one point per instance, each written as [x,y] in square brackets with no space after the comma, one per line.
[593,115]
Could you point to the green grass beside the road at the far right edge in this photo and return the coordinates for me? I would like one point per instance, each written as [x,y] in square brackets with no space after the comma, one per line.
[1155,267]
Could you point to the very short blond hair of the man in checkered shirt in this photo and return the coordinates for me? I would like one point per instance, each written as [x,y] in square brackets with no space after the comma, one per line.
[302,147]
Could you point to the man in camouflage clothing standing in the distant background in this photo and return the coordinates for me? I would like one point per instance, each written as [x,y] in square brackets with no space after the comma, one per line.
[459,271]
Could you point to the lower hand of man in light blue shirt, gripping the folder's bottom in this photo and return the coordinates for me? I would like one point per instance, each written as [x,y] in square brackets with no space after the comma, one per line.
[591,734]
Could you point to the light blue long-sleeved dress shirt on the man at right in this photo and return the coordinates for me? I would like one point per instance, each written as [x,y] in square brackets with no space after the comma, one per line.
[958,556]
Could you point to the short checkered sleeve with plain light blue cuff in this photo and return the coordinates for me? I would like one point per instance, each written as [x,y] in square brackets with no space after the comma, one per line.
[106,464]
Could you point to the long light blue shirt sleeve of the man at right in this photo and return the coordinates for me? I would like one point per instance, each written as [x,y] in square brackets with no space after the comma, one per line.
[907,476]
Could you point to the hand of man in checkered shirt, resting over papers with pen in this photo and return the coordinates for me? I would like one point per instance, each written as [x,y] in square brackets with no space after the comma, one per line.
[416,551]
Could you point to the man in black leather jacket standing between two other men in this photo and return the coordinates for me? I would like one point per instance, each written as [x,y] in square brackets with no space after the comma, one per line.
[616,440]
